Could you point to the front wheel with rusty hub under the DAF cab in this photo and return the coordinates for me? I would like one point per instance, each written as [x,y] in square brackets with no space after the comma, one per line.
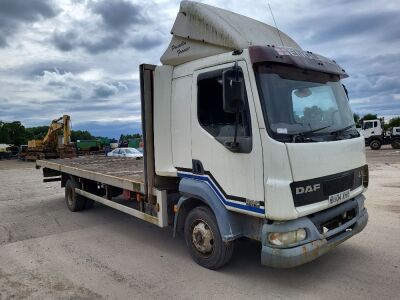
[204,241]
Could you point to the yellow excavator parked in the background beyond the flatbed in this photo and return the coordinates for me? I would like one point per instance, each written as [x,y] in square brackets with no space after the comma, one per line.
[55,144]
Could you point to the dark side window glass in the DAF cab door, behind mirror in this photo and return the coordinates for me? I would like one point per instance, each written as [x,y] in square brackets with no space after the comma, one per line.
[210,111]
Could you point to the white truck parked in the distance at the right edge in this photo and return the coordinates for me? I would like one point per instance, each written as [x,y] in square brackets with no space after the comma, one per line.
[375,135]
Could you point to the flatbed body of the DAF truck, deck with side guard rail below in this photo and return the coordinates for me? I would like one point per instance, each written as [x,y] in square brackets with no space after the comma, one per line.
[110,173]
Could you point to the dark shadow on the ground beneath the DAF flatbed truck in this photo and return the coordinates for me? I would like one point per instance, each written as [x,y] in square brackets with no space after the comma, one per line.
[245,262]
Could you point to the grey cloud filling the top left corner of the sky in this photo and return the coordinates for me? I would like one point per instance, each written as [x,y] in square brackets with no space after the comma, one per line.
[14,13]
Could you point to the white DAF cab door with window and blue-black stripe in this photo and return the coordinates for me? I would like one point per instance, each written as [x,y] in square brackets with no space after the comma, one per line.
[235,176]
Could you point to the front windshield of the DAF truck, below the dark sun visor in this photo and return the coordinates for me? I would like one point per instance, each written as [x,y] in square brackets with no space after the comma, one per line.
[308,104]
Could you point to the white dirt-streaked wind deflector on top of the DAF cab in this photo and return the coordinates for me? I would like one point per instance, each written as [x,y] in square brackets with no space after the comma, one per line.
[202,30]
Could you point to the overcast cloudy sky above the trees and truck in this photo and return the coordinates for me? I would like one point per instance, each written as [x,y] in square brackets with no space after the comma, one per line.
[81,57]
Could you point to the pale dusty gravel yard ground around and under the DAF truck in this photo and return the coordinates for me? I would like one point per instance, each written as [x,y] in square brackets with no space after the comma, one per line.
[48,252]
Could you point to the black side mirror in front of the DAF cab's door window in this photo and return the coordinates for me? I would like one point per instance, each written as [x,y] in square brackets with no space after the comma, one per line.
[233,90]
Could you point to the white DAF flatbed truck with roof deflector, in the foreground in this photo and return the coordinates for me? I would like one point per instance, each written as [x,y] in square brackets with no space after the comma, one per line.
[245,135]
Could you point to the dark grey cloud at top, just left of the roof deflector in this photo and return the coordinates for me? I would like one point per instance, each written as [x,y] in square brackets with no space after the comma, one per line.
[111,26]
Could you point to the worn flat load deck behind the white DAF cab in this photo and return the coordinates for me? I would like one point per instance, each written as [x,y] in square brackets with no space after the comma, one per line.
[123,172]
